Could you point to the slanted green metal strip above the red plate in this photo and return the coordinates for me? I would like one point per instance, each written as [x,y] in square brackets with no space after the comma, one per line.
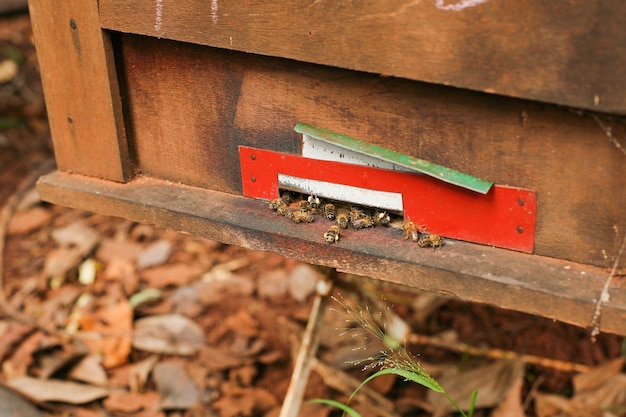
[437,171]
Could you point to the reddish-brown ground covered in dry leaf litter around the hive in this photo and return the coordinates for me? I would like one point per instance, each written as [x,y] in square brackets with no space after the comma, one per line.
[125,319]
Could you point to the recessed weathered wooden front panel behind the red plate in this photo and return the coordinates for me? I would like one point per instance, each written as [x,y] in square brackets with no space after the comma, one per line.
[191,106]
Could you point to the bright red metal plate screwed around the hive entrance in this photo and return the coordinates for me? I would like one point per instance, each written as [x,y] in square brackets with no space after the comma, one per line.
[504,217]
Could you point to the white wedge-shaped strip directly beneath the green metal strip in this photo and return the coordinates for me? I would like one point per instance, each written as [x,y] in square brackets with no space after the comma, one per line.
[318,149]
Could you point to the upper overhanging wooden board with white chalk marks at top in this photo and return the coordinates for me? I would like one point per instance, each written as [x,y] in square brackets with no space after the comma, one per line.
[560,52]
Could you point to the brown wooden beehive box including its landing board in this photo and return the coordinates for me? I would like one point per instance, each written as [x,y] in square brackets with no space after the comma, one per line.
[149,102]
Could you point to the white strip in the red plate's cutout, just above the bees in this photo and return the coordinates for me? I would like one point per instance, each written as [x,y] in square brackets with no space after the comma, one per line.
[384,200]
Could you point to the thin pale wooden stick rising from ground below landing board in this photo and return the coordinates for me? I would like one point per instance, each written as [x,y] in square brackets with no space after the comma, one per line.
[308,349]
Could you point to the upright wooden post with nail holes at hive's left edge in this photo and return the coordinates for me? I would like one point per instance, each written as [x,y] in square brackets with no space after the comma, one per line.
[81,90]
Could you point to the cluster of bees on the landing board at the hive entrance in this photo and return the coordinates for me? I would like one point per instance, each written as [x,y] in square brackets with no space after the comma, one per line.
[304,209]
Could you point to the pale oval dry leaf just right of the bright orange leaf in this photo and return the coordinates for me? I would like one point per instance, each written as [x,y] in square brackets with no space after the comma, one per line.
[168,333]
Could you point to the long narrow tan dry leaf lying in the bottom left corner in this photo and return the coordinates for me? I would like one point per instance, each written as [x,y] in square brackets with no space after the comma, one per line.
[43,390]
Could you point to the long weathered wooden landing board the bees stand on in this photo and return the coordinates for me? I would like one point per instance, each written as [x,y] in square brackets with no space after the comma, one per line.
[534,284]
